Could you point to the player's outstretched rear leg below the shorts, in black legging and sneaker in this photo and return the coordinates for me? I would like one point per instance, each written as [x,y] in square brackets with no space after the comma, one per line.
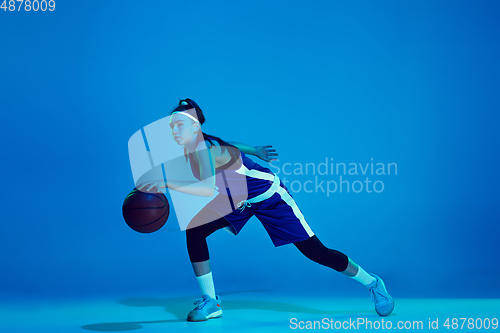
[313,249]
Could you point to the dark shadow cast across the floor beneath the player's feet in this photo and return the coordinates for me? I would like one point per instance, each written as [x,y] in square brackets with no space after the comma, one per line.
[181,306]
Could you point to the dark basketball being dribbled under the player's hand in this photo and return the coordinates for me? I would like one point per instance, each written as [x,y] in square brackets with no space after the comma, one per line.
[145,212]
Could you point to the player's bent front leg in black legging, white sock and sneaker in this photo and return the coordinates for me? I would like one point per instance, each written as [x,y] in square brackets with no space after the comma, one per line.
[209,306]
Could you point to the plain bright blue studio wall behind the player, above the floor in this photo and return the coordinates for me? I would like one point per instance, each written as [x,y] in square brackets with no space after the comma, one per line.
[412,83]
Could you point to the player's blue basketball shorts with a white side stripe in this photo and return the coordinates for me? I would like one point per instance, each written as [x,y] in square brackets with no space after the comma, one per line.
[279,215]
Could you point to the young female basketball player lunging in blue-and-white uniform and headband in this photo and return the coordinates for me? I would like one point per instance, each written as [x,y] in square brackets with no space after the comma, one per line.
[218,164]
